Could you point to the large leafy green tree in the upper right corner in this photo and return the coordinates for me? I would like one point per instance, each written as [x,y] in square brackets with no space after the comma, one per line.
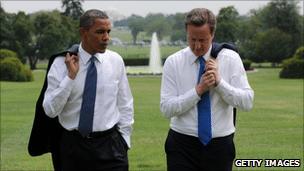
[279,15]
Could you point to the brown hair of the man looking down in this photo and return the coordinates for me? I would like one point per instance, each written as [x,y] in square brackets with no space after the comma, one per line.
[199,17]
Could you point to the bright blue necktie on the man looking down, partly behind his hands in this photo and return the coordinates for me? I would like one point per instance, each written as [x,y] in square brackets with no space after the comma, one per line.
[204,111]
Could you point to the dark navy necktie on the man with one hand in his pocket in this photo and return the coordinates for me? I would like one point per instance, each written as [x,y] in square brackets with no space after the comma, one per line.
[88,100]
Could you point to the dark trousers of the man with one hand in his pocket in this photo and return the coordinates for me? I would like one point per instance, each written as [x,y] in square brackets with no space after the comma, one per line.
[107,152]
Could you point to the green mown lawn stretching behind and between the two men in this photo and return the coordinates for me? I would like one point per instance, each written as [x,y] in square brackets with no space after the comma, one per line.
[273,129]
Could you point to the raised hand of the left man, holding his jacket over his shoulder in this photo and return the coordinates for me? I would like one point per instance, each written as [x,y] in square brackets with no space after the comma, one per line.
[72,63]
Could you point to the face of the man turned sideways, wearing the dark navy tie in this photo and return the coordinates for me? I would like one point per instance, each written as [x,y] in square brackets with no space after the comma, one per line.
[95,39]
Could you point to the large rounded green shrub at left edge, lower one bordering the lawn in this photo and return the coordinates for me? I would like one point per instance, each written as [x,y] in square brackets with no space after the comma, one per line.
[11,69]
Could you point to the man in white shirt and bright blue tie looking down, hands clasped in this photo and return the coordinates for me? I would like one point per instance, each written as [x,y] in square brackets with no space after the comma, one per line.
[225,83]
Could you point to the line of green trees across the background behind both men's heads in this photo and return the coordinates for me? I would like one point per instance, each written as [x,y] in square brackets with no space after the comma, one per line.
[269,34]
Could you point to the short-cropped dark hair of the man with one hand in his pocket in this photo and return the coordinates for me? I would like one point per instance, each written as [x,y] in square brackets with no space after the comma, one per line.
[88,18]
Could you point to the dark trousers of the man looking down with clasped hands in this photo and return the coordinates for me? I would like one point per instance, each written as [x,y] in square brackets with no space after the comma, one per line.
[187,153]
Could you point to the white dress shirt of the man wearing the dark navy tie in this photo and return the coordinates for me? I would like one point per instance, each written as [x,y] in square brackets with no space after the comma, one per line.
[114,101]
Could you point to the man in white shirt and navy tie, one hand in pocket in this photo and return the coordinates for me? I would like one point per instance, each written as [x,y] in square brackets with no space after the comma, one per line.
[101,143]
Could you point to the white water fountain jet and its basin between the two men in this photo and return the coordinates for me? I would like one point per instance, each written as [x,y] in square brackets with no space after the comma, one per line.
[155,64]
